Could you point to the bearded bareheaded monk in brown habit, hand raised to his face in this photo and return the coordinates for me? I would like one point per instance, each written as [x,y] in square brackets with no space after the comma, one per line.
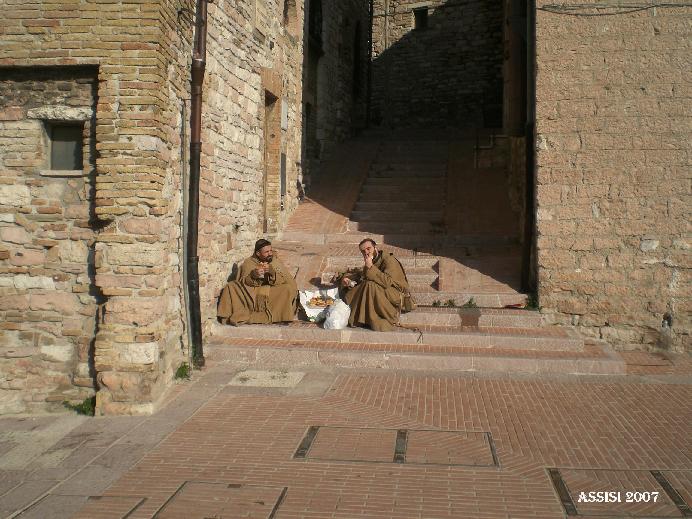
[378,300]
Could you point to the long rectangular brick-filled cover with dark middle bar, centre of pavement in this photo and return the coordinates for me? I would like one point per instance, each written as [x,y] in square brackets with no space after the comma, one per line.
[412,446]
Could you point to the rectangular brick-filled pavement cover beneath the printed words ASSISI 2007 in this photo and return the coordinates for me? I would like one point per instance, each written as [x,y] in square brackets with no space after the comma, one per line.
[623,493]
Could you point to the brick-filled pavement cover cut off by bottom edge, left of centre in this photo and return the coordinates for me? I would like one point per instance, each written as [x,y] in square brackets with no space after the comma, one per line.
[200,500]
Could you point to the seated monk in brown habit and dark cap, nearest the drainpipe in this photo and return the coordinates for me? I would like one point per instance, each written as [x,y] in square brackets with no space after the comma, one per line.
[264,291]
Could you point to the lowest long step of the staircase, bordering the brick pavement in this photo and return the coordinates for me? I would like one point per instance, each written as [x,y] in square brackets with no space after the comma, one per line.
[297,357]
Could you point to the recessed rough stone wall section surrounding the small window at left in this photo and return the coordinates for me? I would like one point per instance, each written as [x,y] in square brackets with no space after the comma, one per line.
[48,300]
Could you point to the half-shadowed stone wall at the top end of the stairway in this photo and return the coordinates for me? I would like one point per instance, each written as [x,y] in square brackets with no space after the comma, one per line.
[448,74]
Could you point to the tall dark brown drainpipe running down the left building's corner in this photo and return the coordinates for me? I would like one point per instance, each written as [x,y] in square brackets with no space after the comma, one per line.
[199,52]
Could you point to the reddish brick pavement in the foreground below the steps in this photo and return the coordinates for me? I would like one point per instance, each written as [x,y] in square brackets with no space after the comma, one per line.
[346,444]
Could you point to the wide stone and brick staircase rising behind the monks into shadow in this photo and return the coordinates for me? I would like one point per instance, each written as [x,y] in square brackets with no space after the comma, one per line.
[441,204]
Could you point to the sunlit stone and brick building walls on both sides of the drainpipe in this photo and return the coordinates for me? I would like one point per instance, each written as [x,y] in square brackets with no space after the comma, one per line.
[140,54]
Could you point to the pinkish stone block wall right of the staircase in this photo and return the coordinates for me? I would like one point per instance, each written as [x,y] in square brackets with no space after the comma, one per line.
[613,173]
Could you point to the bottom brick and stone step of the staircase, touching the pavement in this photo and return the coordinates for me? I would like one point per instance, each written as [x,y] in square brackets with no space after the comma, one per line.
[595,359]
